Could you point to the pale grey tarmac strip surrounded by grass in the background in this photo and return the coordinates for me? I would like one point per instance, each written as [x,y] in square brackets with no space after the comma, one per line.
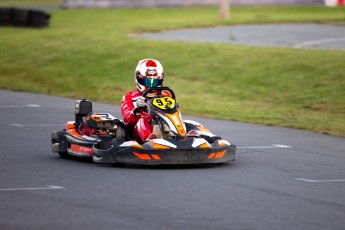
[319,36]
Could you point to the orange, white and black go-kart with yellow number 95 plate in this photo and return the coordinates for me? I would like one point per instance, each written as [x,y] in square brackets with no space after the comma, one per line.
[106,139]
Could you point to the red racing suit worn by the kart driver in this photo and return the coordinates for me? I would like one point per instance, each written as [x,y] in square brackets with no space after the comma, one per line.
[139,122]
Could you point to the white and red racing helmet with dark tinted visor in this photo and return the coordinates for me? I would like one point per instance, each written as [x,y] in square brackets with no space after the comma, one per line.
[148,73]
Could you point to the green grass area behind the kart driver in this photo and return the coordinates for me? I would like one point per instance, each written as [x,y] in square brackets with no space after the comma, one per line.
[86,53]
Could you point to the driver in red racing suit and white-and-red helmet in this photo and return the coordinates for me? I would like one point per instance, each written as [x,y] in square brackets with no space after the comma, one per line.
[148,73]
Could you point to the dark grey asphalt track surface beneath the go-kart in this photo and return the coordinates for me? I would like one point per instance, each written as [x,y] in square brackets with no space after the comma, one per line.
[283,179]
